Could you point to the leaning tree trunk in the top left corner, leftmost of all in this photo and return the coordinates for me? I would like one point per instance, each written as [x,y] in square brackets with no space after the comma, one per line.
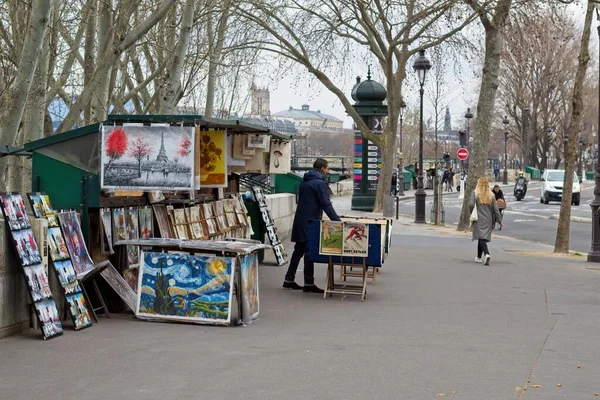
[16,97]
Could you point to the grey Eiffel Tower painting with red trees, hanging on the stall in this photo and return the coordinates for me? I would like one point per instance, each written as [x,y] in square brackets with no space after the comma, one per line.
[147,157]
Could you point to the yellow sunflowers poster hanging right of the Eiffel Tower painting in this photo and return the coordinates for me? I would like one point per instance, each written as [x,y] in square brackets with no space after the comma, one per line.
[213,159]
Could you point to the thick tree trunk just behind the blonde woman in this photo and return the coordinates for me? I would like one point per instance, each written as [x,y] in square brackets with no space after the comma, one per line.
[485,105]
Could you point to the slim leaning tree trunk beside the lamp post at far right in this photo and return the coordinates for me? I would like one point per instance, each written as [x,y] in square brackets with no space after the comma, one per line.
[561,244]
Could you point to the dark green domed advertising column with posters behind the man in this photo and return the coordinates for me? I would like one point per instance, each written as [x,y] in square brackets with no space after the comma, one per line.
[369,96]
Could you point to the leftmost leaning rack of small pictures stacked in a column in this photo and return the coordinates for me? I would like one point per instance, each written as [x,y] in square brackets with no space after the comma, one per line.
[31,262]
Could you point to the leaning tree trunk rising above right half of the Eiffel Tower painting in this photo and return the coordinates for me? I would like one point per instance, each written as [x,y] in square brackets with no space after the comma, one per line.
[173,84]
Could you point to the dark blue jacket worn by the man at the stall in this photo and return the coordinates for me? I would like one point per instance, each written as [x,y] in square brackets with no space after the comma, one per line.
[313,199]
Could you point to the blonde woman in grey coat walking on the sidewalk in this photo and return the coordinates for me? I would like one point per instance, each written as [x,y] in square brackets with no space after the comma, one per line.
[484,214]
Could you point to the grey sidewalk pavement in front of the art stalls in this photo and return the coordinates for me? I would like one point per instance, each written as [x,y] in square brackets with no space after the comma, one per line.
[435,325]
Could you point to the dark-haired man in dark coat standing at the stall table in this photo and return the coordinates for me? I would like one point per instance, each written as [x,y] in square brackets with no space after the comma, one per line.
[313,199]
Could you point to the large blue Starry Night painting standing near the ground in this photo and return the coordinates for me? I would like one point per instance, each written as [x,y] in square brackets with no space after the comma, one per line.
[186,288]
